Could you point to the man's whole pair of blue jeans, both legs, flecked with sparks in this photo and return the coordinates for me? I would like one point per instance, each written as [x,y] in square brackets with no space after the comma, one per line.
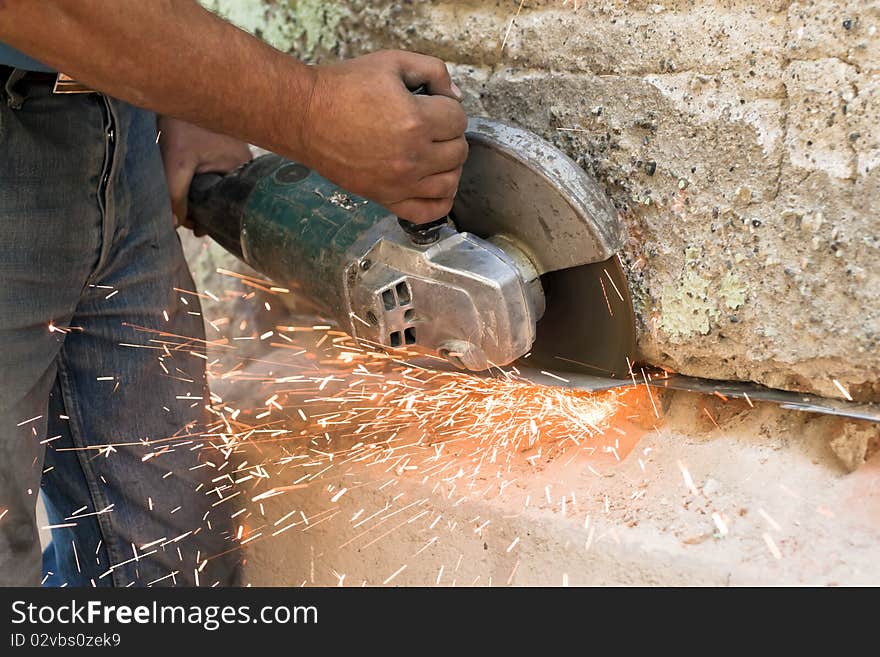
[102,387]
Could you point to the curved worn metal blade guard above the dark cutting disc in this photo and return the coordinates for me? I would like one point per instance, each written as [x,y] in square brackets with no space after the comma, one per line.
[517,185]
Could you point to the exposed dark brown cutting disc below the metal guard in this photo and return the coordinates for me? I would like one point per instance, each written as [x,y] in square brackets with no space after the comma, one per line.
[589,325]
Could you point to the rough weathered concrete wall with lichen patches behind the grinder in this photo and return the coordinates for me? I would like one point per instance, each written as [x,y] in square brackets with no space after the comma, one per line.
[740,141]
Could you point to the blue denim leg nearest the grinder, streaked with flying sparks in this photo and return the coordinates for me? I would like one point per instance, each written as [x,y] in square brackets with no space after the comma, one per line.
[133,385]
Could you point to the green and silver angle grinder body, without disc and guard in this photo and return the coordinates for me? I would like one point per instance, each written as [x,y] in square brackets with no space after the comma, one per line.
[464,298]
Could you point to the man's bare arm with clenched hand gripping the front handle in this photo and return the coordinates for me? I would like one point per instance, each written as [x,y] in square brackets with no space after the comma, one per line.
[355,122]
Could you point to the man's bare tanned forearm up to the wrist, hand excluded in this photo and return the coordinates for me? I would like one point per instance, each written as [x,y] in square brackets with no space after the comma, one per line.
[170,56]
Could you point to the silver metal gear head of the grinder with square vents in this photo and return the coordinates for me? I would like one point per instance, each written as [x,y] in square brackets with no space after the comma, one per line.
[462,297]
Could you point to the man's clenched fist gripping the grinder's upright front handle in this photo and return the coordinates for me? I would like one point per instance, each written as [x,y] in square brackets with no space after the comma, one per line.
[365,131]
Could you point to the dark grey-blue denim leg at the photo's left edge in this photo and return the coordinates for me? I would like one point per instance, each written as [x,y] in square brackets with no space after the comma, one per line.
[50,237]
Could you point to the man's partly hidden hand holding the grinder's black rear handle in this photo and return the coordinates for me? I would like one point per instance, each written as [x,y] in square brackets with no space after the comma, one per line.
[188,150]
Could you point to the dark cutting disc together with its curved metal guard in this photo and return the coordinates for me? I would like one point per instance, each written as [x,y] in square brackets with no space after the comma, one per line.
[522,187]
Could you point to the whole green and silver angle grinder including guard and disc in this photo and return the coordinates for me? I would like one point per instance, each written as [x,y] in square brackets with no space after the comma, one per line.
[531,235]
